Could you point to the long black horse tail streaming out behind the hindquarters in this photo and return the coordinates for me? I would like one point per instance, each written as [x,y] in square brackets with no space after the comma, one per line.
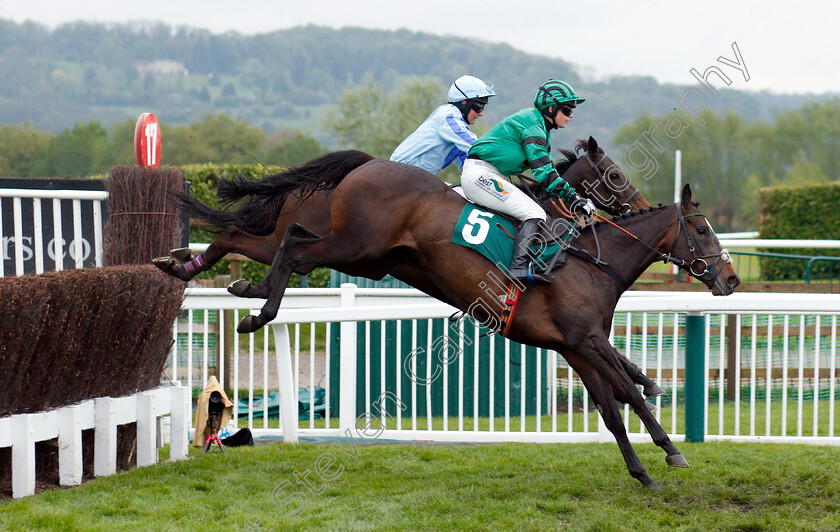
[259,214]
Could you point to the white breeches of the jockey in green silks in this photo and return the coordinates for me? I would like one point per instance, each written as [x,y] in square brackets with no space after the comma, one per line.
[485,185]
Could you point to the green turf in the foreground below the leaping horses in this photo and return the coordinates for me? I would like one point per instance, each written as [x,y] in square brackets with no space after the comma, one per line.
[470,487]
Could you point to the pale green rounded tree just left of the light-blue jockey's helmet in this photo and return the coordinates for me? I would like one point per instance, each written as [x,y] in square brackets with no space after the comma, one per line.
[368,120]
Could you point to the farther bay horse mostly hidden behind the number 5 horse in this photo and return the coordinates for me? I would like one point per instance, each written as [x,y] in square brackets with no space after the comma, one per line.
[301,195]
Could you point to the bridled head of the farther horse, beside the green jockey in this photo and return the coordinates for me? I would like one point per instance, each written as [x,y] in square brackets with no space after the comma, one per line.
[595,176]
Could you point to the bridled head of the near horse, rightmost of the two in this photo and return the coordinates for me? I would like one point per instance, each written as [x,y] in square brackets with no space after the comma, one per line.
[697,250]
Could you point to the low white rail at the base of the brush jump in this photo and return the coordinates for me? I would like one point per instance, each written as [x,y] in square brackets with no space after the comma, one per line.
[22,431]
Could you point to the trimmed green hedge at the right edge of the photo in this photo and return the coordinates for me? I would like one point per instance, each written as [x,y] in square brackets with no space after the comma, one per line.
[800,212]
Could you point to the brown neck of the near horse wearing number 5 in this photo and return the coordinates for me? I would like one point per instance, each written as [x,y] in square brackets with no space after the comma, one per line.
[629,257]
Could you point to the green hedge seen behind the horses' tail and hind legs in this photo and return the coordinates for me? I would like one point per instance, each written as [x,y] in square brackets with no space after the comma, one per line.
[204,180]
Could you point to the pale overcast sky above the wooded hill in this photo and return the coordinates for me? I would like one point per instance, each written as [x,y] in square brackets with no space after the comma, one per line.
[785,46]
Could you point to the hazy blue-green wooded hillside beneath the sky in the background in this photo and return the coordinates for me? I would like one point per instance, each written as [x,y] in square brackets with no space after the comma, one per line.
[287,79]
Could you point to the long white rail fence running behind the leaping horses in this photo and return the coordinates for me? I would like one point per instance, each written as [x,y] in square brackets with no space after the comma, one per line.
[785,349]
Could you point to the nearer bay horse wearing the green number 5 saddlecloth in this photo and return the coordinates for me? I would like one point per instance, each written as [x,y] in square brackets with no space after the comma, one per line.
[385,217]
